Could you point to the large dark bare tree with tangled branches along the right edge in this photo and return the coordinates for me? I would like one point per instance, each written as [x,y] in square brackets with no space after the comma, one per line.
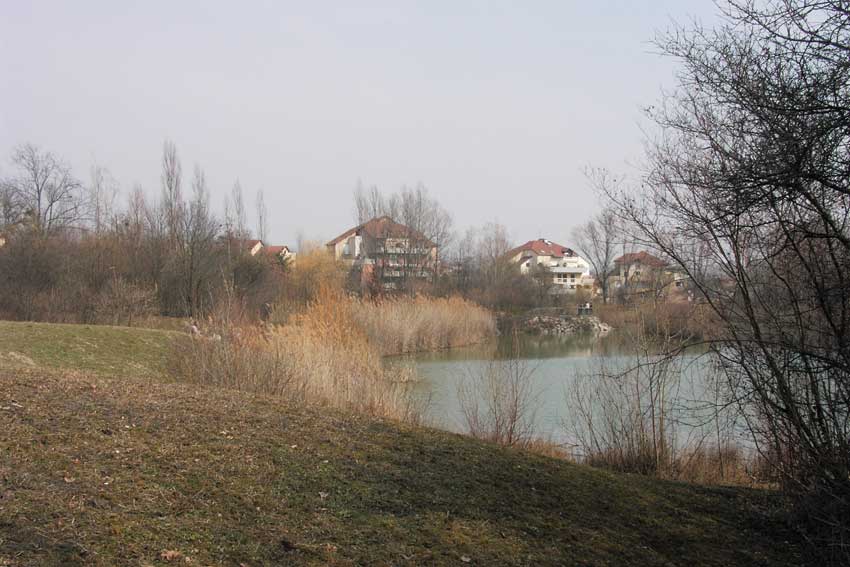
[751,164]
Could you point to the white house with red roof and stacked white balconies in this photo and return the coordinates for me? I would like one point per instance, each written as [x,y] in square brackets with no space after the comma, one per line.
[565,271]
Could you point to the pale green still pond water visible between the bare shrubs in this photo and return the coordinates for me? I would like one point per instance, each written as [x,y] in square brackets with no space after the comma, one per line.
[555,364]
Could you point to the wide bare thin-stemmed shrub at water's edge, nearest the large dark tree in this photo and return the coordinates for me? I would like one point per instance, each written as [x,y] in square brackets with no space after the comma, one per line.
[652,417]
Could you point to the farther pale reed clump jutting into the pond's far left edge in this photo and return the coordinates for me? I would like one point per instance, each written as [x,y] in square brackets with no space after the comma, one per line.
[404,325]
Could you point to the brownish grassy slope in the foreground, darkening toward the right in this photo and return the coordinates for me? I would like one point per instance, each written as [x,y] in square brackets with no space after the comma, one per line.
[95,470]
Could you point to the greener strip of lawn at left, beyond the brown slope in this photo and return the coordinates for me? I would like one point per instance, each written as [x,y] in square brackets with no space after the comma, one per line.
[114,351]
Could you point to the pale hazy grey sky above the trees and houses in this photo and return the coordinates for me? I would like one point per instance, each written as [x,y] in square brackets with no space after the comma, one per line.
[494,106]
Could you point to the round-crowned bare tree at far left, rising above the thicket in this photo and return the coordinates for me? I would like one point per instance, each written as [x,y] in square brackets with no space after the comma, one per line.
[45,190]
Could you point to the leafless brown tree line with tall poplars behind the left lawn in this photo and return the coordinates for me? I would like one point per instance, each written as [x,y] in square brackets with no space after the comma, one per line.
[70,253]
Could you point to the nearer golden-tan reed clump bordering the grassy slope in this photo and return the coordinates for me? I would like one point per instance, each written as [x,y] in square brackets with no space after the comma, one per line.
[320,357]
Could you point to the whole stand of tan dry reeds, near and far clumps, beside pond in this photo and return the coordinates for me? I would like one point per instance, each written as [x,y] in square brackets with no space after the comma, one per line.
[331,352]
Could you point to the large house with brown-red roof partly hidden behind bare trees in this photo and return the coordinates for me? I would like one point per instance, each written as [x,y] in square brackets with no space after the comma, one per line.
[386,254]
